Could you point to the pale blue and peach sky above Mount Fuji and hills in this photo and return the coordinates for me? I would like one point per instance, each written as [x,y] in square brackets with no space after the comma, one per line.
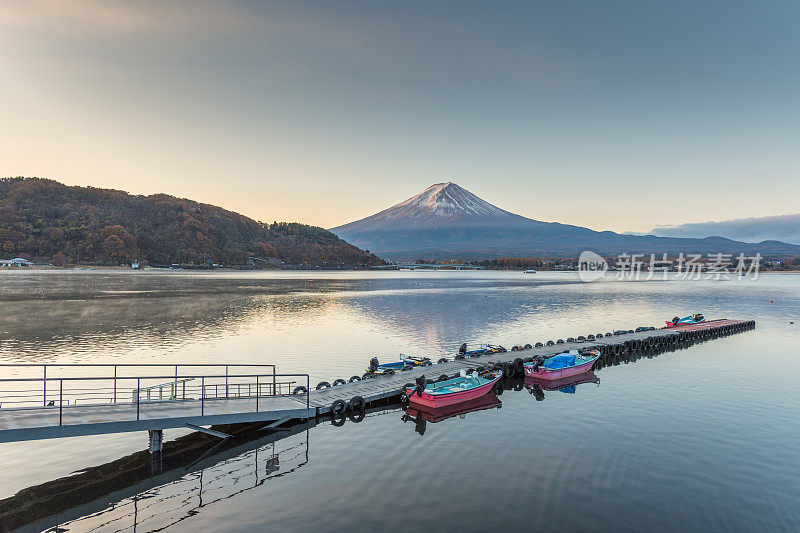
[611,115]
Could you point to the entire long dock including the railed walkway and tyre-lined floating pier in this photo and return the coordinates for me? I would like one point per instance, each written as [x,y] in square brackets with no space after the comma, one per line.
[54,406]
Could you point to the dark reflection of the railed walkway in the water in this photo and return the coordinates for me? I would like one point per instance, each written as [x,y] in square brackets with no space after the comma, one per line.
[144,492]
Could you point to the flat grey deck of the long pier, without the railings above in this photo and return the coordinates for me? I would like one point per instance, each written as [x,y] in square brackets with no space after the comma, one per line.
[58,420]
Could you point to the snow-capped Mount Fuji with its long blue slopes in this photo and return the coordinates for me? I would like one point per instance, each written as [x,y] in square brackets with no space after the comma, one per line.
[446,221]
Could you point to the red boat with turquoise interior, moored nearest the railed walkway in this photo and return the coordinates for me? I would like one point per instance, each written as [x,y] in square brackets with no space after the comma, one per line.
[452,391]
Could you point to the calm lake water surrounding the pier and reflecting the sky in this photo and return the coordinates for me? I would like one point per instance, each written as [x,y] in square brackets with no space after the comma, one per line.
[702,439]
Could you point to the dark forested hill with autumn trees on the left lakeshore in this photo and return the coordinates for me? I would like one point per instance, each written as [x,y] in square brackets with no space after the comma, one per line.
[48,221]
